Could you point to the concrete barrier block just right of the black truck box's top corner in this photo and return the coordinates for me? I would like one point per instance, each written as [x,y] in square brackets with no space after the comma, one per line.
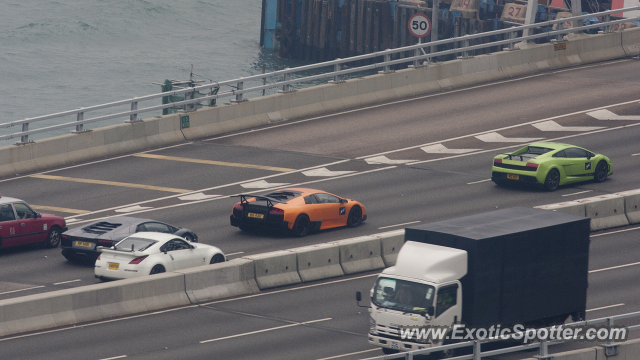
[605,211]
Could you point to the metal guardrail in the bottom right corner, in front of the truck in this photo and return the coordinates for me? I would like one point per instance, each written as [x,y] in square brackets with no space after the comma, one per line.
[610,347]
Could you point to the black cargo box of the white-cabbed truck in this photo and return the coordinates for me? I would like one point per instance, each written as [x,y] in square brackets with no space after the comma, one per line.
[524,264]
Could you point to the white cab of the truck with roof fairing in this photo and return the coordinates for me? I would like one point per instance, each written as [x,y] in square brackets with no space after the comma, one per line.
[422,289]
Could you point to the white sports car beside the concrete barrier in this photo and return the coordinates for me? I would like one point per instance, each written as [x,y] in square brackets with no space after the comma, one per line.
[147,253]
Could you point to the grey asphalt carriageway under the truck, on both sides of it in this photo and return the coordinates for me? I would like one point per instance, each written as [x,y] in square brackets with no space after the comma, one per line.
[313,321]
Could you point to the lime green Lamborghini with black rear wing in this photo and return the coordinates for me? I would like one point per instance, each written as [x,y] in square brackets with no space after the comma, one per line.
[550,165]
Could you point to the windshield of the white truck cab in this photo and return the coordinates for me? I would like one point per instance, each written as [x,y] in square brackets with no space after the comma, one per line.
[402,295]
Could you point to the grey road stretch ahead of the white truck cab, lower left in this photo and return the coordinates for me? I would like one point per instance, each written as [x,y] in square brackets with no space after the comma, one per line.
[182,330]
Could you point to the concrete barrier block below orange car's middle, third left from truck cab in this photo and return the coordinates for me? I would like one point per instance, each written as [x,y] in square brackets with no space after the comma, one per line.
[318,262]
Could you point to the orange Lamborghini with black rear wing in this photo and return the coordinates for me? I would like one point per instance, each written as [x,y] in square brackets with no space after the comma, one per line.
[297,210]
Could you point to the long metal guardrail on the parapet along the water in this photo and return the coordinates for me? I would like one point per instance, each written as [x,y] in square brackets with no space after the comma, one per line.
[238,91]
